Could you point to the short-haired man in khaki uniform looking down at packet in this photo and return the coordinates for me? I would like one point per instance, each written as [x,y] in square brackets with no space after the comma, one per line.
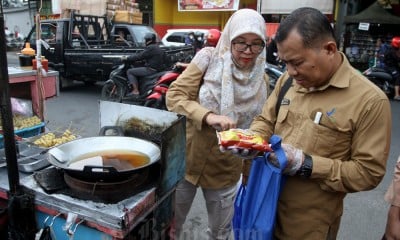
[345,150]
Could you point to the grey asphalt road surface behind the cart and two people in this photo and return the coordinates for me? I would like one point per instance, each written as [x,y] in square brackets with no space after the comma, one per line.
[364,213]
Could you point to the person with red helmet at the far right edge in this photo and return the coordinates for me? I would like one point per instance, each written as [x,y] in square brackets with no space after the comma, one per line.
[392,65]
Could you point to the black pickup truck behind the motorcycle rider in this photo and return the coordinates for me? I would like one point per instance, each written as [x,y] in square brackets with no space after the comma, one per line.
[86,48]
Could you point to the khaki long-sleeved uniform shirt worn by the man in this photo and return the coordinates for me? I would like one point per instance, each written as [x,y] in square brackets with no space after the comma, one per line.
[349,148]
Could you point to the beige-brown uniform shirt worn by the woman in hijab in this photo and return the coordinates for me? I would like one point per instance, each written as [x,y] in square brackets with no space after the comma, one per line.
[206,165]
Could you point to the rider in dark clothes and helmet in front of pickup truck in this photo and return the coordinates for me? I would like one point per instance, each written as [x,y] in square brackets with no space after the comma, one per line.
[152,55]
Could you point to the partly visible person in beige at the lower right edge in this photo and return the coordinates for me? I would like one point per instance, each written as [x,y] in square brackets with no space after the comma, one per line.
[392,196]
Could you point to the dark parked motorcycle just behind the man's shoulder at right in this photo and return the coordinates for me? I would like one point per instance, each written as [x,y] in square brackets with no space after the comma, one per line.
[382,79]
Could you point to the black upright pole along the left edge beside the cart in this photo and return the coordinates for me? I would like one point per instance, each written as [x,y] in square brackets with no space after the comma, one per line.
[21,211]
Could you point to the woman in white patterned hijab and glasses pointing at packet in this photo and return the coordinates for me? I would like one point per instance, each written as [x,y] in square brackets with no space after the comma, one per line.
[222,88]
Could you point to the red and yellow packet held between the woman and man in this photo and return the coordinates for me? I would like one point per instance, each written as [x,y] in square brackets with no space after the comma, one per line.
[241,138]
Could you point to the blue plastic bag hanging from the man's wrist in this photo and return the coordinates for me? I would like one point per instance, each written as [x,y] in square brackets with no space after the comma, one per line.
[256,204]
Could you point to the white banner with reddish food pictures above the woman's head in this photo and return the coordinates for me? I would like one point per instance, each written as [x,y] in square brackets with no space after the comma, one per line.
[208,5]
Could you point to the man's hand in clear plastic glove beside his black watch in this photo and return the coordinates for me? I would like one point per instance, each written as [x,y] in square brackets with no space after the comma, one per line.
[294,156]
